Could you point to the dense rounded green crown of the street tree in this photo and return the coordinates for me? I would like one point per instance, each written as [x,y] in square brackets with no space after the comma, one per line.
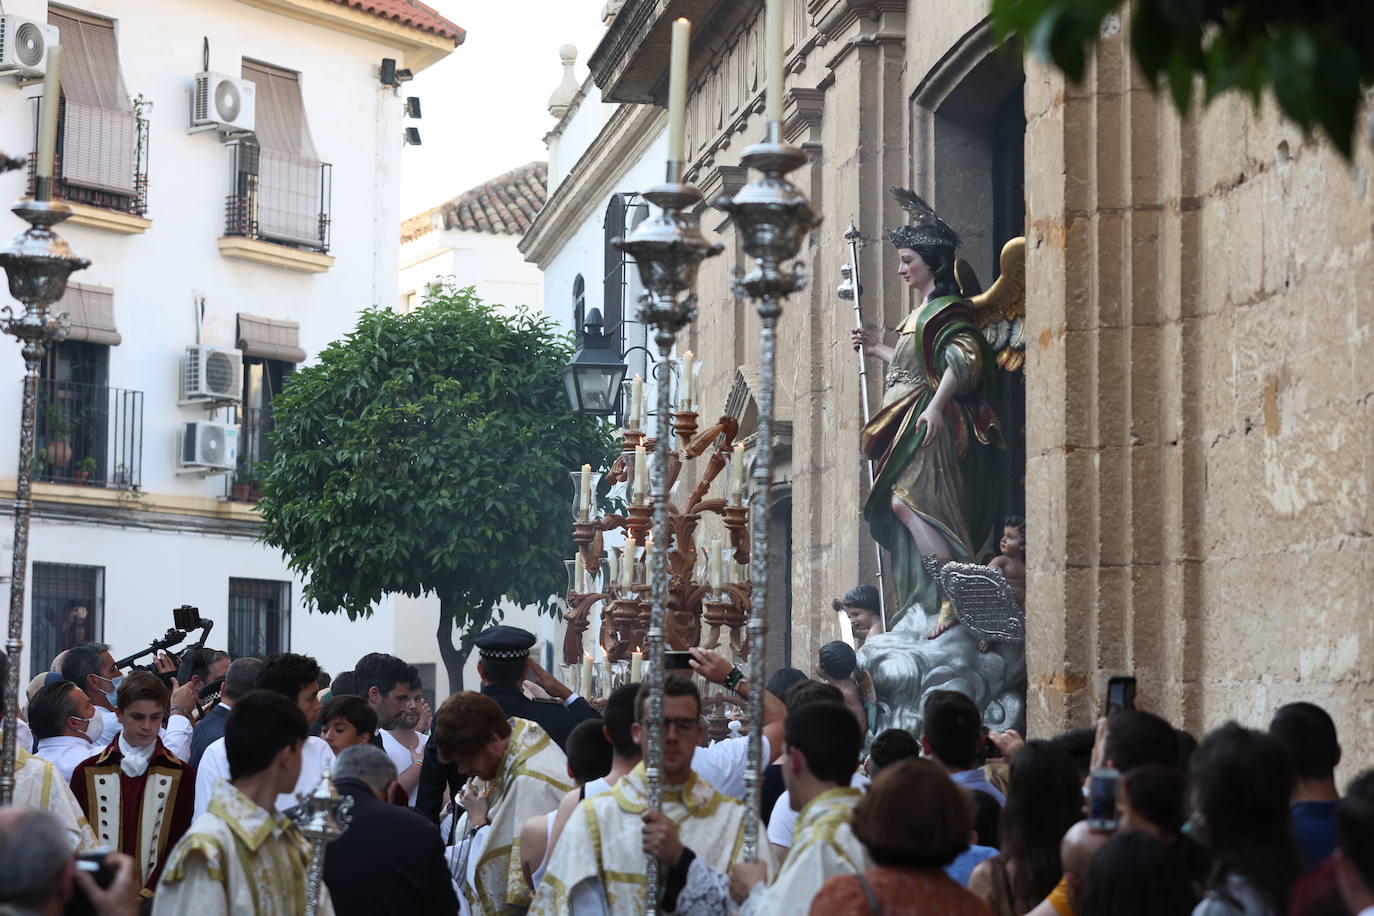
[431,453]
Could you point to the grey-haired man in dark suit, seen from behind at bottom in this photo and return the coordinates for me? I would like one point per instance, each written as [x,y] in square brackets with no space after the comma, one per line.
[390,860]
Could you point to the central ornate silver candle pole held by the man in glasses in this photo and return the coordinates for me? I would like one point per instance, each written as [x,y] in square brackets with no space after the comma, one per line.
[668,249]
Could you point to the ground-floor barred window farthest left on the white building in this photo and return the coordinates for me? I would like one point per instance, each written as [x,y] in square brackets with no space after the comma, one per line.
[61,591]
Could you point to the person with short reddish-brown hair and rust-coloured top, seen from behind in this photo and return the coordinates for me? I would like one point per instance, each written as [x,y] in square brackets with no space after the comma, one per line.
[913,822]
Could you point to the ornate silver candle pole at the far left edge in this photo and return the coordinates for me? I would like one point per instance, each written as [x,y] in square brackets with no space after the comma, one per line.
[38,264]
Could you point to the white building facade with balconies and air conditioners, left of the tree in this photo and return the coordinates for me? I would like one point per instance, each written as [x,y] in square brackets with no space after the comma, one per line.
[278,238]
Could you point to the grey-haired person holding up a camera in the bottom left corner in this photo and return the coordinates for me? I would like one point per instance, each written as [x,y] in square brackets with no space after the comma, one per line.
[39,874]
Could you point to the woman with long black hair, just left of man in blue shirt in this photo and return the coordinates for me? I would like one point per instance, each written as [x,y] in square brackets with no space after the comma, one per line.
[1241,785]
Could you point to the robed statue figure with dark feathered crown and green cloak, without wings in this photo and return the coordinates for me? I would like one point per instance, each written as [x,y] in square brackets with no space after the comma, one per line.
[936,439]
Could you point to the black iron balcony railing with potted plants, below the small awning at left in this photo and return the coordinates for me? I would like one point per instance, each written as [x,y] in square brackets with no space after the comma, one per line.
[90,435]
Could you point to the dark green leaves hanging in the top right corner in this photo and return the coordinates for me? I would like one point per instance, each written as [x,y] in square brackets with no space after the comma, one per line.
[1318,57]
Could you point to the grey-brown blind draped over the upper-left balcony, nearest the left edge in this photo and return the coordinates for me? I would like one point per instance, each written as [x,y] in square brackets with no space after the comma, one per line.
[100,134]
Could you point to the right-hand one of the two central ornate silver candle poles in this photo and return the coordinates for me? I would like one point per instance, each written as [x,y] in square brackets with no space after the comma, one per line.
[774,218]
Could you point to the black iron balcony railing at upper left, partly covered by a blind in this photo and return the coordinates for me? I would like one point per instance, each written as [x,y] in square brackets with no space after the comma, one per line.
[97,190]
